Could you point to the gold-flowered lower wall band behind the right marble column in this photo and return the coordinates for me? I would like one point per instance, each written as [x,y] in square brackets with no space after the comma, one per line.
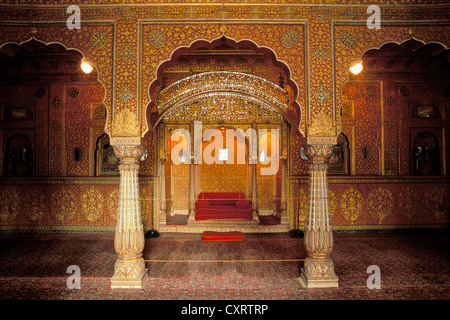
[376,203]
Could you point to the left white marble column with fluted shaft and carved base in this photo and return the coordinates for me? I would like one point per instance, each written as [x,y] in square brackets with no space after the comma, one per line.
[129,269]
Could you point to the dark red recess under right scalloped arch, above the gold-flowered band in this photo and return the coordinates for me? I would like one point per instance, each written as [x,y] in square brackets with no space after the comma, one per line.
[401,93]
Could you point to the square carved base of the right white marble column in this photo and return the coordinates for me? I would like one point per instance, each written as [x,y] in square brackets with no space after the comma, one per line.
[318,274]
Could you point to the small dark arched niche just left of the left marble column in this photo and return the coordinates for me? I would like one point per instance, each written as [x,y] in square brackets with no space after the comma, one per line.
[105,158]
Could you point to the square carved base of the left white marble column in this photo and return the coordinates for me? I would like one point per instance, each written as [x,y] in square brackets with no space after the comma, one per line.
[129,274]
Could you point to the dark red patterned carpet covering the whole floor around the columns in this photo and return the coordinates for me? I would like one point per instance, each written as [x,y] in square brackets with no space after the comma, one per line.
[262,267]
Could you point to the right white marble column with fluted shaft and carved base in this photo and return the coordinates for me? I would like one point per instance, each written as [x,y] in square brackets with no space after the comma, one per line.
[318,268]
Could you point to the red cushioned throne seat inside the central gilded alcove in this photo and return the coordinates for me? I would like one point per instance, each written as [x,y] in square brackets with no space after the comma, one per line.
[222,206]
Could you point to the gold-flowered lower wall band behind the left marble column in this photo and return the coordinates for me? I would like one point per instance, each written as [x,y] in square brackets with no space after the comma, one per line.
[67,204]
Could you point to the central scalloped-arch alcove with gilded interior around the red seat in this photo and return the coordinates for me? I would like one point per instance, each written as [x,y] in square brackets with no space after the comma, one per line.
[223,85]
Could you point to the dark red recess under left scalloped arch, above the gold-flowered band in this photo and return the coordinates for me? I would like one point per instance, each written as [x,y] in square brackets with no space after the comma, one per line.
[47,98]
